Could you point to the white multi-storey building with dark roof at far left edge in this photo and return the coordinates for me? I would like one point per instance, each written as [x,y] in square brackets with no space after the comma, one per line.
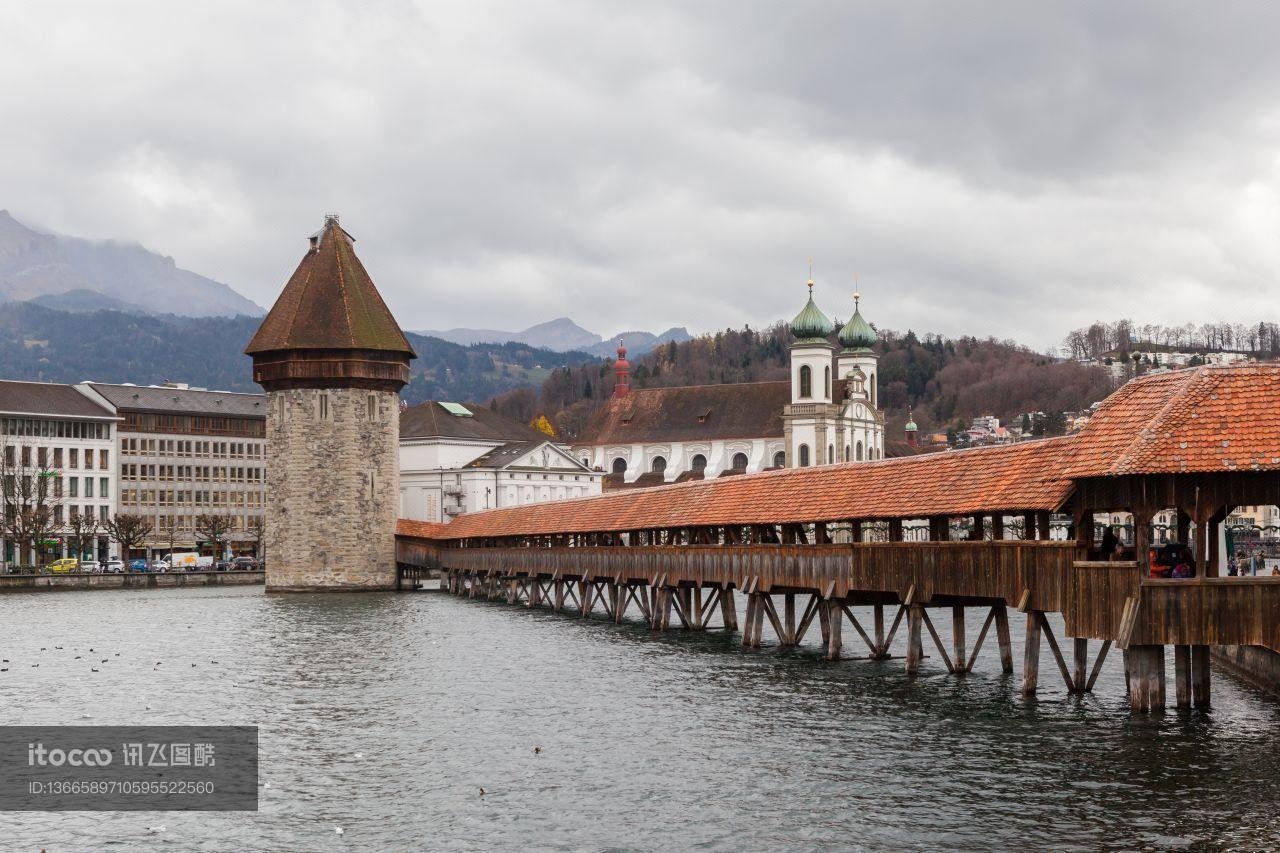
[52,431]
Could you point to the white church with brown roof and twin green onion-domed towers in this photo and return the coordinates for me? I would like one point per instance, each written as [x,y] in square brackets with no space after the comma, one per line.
[828,413]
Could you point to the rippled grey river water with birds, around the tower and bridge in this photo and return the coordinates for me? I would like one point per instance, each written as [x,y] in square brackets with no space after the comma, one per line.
[648,741]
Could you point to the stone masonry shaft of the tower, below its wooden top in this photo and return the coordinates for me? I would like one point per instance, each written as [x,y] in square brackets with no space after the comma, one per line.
[332,490]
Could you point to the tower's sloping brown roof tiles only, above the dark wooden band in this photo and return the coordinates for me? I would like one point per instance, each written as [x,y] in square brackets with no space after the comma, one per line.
[330,304]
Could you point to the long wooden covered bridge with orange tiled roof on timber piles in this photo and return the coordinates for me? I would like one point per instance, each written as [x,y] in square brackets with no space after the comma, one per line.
[811,546]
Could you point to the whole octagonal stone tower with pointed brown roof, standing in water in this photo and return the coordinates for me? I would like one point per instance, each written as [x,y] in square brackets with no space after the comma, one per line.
[332,361]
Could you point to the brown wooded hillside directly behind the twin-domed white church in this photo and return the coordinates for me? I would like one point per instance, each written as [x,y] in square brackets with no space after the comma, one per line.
[945,382]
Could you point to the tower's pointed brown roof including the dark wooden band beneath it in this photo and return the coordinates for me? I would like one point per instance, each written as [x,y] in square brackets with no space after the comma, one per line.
[331,329]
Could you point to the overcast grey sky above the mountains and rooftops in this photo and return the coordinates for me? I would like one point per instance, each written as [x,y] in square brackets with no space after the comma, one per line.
[1008,171]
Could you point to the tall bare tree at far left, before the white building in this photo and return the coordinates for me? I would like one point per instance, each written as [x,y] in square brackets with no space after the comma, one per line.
[30,492]
